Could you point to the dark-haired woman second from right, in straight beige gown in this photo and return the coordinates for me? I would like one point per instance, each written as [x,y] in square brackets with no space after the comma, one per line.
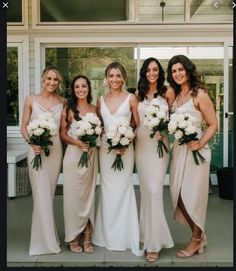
[154,230]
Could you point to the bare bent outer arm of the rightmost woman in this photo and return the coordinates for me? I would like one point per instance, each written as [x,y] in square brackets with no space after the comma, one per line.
[205,105]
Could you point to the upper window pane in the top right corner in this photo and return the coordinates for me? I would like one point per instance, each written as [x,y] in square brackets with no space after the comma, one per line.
[211,11]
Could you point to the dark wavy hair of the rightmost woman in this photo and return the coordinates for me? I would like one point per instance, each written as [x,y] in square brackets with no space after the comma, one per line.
[195,81]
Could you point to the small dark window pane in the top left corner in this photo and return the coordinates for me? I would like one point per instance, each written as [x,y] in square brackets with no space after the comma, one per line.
[14,12]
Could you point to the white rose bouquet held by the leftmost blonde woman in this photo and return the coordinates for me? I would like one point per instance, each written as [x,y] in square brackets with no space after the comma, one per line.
[40,131]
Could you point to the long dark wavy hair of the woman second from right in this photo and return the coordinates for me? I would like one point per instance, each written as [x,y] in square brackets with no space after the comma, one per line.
[143,84]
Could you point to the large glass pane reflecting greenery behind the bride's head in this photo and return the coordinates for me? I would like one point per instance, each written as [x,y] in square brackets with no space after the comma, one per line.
[91,62]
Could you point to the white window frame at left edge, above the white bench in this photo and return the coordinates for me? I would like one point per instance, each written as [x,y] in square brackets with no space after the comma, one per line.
[22,43]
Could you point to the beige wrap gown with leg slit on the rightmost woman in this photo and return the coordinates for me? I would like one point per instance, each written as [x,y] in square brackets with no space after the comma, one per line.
[187,179]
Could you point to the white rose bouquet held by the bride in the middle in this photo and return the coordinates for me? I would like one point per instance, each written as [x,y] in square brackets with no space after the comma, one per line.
[119,135]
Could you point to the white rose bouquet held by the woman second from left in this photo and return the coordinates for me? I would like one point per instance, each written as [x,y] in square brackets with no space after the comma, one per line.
[88,129]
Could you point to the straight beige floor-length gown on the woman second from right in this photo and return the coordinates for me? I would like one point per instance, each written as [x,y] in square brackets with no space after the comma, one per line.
[154,230]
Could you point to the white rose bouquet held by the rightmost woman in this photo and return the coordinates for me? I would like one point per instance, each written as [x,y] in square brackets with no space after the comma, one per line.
[181,125]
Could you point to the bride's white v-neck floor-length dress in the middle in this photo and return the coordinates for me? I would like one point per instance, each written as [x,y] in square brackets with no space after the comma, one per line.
[116,223]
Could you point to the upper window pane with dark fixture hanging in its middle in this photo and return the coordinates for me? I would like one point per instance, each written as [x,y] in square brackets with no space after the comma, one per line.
[161,11]
